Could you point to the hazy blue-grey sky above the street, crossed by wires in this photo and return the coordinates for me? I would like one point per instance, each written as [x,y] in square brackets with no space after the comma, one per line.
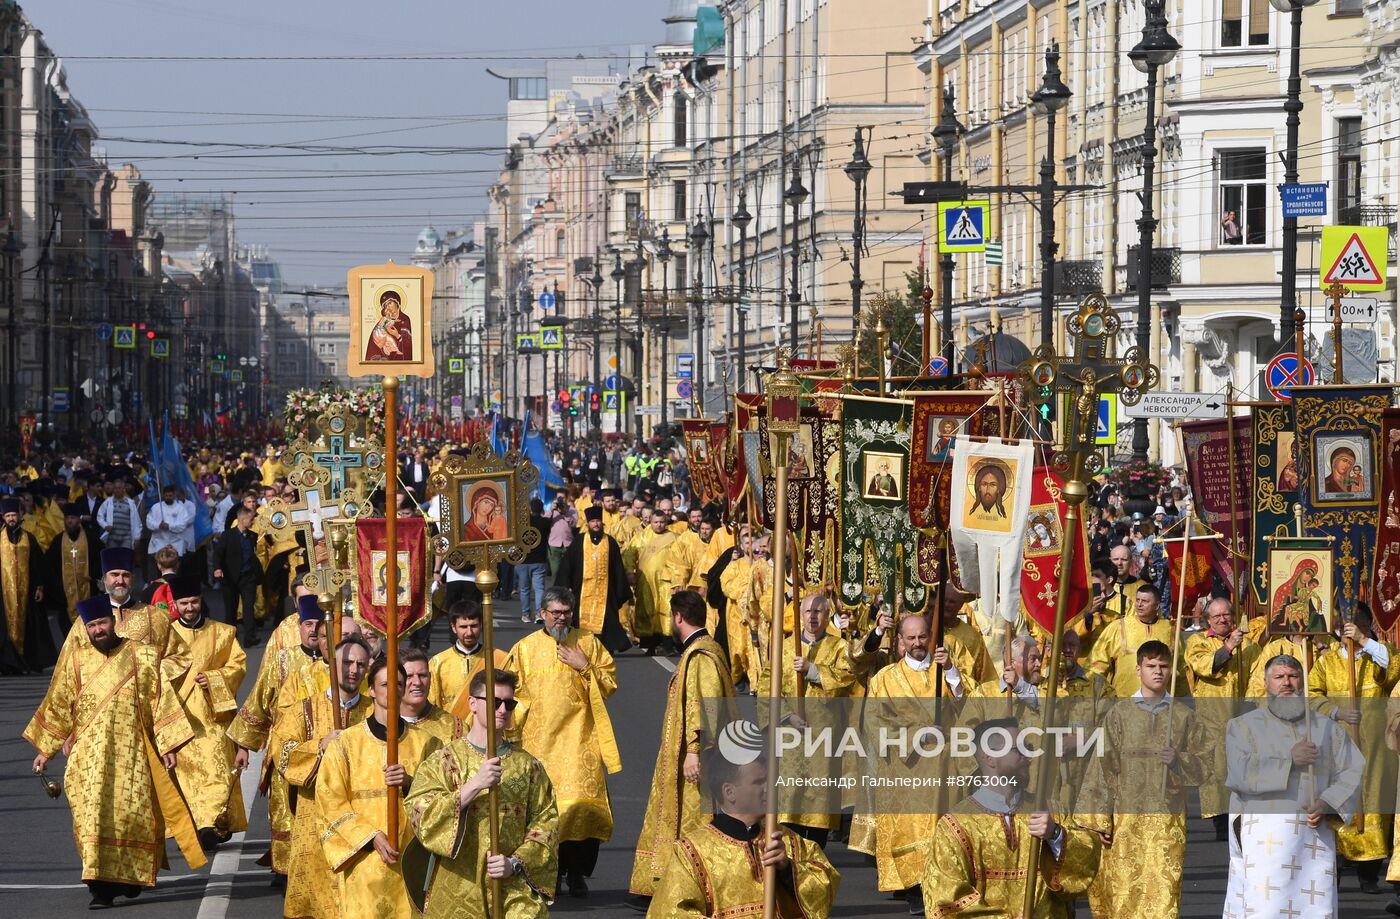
[199,127]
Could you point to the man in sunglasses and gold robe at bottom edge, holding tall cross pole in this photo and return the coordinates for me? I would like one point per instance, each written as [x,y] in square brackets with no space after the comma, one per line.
[979,854]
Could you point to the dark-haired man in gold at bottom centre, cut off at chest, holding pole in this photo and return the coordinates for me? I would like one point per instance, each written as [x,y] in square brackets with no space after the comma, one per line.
[717,866]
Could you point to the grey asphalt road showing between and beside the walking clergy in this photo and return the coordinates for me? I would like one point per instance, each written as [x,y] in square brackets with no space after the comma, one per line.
[40,872]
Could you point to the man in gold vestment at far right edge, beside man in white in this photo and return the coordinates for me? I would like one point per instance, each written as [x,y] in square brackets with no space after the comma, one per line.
[1378,673]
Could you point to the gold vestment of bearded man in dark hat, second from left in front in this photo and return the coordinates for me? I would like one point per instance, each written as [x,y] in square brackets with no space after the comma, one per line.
[205,768]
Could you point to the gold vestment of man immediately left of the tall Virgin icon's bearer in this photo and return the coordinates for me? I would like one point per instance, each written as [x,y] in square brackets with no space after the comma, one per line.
[304,717]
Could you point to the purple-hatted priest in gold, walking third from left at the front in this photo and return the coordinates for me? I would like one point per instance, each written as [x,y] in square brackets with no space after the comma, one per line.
[257,719]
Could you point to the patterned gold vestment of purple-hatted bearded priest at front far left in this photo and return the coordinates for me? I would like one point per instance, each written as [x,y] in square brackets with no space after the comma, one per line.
[122,711]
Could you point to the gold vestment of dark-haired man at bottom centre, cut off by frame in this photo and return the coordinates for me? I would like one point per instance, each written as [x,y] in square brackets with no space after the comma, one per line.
[713,872]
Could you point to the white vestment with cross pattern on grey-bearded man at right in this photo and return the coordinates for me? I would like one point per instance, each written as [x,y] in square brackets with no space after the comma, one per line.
[1280,866]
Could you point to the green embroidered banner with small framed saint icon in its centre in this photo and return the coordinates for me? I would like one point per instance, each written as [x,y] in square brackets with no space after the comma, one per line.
[877,539]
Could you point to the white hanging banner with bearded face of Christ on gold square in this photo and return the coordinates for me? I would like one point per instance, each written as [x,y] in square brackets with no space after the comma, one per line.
[990,502]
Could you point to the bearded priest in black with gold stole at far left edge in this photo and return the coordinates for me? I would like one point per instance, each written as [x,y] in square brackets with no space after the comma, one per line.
[27,644]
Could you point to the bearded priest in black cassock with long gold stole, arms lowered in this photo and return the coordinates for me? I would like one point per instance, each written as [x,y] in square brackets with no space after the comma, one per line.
[594,572]
